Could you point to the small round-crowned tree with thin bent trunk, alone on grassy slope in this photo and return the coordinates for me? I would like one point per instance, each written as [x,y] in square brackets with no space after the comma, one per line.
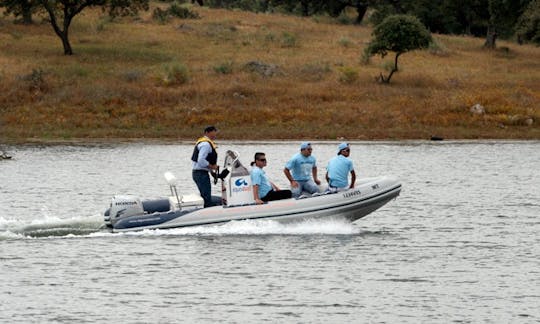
[398,34]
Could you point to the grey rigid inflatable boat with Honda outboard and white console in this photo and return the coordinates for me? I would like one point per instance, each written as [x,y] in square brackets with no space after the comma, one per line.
[130,213]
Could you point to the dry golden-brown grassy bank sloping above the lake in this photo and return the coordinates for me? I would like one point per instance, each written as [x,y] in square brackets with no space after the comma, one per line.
[136,78]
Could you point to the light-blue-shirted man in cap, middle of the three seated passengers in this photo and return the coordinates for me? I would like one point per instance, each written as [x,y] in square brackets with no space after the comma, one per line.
[303,166]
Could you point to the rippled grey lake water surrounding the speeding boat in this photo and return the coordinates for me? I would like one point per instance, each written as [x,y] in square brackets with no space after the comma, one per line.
[461,244]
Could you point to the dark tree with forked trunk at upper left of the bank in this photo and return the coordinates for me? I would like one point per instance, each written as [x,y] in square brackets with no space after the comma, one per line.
[62,12]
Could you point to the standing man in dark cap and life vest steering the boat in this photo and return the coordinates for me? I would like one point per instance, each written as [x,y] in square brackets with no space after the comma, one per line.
[204,160]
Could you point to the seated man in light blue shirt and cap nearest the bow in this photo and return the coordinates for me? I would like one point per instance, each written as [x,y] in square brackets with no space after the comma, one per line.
[337,171]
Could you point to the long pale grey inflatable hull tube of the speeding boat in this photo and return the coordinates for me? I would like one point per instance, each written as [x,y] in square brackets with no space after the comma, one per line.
[353,204]
